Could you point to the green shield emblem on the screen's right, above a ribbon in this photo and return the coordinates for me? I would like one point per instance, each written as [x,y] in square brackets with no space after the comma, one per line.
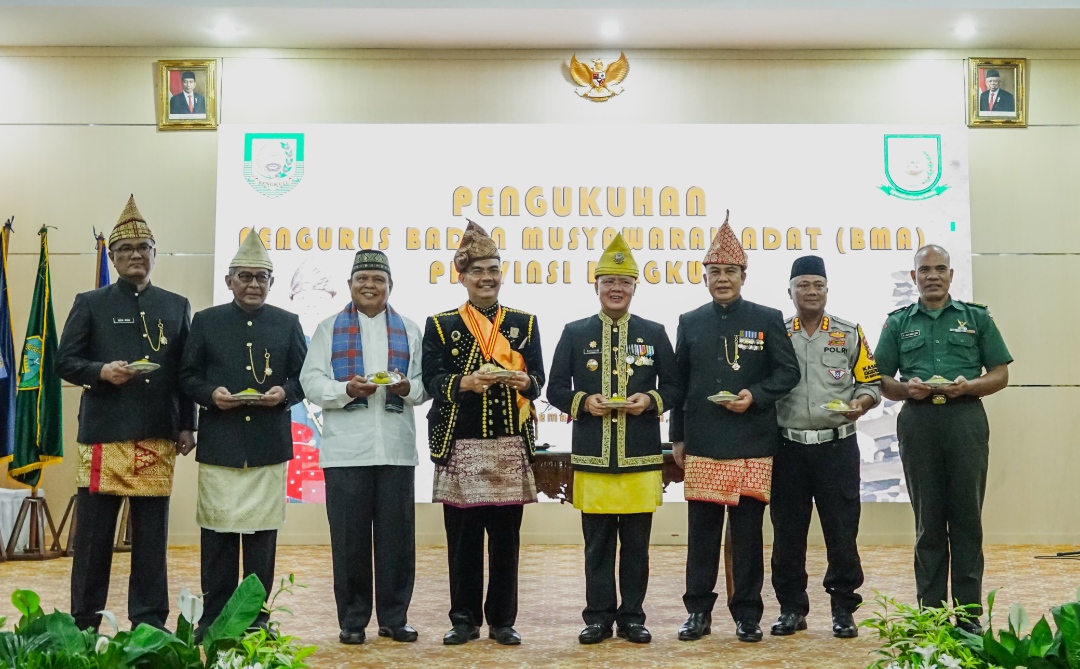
[913,167]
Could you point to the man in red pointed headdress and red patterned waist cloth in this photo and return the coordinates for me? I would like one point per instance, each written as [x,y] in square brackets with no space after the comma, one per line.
[735,362]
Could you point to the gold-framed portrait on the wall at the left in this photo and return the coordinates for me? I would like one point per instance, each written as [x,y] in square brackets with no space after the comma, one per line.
[183,105]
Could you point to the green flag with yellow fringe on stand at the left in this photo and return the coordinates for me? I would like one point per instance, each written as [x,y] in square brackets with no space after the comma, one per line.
[39,439]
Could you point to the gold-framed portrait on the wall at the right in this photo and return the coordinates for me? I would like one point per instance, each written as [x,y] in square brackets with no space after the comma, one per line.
[997,92]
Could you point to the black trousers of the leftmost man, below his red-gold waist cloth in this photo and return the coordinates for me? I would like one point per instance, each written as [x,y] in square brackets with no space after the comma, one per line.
[92,566]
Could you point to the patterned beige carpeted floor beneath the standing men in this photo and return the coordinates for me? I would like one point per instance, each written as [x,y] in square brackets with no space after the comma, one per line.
[552,596]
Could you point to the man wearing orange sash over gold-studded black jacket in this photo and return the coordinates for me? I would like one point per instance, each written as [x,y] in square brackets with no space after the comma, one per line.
[483,366]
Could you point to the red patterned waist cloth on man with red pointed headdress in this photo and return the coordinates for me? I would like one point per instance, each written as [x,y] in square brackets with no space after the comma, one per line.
[726,481]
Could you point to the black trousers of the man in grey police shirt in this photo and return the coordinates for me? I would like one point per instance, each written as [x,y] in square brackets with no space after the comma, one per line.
[827,475]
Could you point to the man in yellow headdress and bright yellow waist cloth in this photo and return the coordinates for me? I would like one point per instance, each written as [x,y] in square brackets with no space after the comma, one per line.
[602,362]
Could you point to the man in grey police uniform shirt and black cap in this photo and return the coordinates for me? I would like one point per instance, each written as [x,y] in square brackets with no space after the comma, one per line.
[818,460]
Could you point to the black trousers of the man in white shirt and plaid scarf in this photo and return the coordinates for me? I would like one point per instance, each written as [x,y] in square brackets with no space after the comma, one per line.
[372,511]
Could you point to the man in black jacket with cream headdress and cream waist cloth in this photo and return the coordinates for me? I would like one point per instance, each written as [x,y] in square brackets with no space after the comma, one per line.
[246,347]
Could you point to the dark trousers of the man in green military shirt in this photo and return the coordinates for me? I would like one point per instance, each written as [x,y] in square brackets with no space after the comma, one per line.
[946,450]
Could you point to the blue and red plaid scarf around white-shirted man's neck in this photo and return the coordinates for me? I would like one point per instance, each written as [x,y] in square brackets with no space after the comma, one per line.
[347,353]
